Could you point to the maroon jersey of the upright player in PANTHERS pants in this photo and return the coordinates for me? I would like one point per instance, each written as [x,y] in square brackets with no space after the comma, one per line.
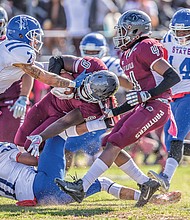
[137,63]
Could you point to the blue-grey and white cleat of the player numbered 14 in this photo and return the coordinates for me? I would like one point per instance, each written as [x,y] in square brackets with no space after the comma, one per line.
[162,179]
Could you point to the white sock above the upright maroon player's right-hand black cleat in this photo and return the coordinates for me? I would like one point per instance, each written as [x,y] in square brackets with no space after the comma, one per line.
[132,170]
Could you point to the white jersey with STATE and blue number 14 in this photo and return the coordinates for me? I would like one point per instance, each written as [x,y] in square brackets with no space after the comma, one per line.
[179,58]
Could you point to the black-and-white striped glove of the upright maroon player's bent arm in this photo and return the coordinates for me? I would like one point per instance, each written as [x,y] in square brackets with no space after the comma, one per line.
[137,97]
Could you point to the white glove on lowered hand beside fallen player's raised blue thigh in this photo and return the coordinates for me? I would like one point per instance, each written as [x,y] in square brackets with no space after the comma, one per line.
[34,146]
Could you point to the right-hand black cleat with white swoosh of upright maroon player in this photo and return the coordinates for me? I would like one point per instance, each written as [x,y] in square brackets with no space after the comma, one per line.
[147,190]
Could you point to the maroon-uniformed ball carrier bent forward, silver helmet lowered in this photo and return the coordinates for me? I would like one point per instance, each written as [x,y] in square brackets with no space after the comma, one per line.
[76,106]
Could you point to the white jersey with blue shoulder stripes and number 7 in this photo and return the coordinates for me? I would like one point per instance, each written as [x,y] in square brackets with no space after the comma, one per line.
[13,51]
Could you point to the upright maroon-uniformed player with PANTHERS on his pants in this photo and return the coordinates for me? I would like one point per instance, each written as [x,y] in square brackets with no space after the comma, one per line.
[152,76]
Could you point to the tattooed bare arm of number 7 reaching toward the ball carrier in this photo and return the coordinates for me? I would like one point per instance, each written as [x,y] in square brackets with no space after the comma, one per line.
[44,76]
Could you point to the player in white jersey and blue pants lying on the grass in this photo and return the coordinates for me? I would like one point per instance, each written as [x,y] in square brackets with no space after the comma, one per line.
[21,182]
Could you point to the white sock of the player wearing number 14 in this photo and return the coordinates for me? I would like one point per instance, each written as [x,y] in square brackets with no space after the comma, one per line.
[170,167]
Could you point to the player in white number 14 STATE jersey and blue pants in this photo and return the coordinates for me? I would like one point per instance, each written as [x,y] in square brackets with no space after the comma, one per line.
[177,43]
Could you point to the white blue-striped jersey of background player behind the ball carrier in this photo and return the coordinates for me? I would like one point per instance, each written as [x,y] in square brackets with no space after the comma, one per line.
[113,65]
